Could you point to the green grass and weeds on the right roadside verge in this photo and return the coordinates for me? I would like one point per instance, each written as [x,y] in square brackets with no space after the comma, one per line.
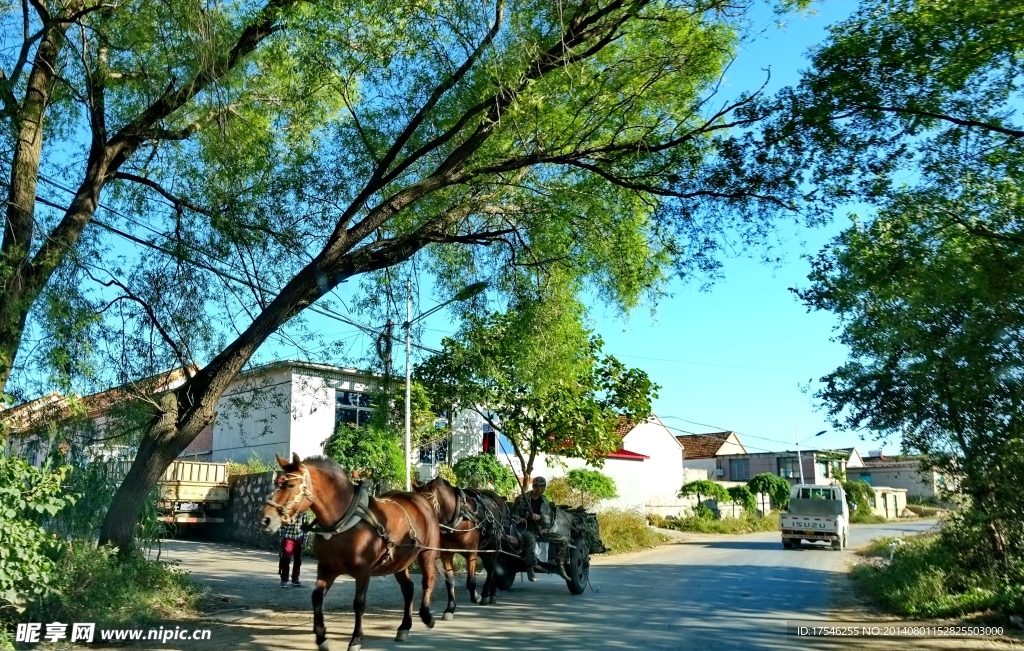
[925,578]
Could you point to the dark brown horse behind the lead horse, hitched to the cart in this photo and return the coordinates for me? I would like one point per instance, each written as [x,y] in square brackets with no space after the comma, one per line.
[471,520]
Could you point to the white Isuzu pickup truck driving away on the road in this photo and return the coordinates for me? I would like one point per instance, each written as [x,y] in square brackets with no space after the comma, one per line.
[816,513]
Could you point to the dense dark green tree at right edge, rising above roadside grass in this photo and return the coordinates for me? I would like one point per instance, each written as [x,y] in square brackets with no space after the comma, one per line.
[928,312]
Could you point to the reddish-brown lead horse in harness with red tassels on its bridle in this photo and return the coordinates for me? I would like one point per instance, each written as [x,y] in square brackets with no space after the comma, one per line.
[359,536]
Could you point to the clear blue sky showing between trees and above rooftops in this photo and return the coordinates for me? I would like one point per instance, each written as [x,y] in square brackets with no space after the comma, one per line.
[743,356]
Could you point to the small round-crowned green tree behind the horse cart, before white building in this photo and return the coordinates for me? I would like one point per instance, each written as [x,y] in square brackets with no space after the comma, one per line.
[536,374]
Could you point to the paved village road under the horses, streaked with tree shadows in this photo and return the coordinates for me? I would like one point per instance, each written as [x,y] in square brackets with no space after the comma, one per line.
[733,592]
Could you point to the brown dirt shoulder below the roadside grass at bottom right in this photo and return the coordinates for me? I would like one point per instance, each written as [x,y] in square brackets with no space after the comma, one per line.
[850,605]
